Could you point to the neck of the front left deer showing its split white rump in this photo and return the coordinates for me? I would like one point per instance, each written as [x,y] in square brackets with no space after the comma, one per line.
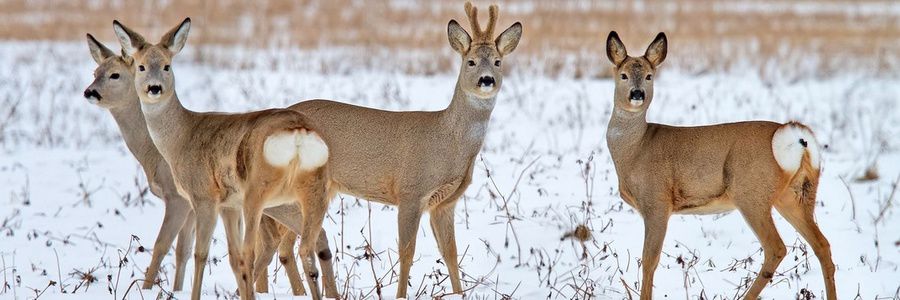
[167,122]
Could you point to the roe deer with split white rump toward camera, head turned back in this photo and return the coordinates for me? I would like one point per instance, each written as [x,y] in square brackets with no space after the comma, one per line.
[230,164]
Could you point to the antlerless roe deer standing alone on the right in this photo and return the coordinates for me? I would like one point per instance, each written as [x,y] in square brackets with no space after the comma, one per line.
[748,166]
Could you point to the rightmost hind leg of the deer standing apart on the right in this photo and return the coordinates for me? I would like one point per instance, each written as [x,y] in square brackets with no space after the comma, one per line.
[802,217]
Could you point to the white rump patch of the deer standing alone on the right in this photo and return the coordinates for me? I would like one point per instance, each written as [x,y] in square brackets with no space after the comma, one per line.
[788,144]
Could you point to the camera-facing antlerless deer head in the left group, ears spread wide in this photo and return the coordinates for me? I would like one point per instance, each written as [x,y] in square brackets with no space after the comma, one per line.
[153,77]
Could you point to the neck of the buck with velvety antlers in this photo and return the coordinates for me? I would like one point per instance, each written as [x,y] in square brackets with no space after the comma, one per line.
[467,118]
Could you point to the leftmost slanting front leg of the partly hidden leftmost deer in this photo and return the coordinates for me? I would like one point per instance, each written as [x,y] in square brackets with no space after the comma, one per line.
[176,213]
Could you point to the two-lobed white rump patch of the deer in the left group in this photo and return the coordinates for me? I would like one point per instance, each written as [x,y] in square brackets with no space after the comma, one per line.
[283,147]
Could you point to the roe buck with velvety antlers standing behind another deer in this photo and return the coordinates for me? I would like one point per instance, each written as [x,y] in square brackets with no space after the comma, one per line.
[420,160]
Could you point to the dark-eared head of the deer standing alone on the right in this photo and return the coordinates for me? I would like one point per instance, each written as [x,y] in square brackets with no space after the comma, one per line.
[634,75]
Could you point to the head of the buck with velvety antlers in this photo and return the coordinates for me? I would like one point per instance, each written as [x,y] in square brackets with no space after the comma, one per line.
[482,55]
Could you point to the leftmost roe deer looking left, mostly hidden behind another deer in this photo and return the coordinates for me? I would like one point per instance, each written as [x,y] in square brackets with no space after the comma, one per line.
[113,89]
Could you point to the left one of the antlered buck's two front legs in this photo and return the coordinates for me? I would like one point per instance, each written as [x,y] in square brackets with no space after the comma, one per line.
[409,215]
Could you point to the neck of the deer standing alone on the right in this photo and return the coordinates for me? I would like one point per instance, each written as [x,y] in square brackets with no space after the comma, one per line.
[625,134]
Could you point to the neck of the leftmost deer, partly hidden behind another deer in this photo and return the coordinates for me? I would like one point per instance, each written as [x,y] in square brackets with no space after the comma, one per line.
[133,128]
